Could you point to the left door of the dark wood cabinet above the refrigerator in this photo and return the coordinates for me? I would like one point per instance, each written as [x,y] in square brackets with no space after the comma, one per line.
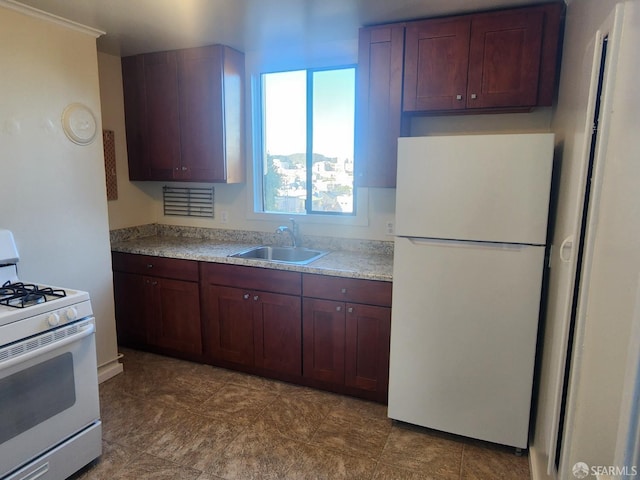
[435,68]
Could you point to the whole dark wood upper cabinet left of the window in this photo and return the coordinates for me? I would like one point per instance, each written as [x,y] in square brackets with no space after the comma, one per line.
[184,115]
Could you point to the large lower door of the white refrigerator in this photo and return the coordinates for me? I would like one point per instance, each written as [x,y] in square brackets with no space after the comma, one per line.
[463,337]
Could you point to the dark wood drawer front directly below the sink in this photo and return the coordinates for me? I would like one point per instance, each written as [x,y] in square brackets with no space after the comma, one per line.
[251,278]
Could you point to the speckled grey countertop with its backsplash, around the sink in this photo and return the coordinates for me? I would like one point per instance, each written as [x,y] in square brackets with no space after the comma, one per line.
[358,259]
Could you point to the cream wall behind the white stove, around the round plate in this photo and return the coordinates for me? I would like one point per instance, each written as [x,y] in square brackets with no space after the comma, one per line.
[52,191]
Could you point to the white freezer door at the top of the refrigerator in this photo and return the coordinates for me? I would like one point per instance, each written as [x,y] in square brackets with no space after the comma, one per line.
[475,187]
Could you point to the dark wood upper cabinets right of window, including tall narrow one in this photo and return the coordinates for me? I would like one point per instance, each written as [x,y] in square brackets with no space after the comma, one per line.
[499,61]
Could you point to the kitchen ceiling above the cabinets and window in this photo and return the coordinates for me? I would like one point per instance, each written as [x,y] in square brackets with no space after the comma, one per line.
[141,26]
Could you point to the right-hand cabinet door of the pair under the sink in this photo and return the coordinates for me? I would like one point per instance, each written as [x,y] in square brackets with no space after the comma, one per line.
[277,332]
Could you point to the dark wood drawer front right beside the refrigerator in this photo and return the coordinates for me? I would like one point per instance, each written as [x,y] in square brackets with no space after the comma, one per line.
[370,292]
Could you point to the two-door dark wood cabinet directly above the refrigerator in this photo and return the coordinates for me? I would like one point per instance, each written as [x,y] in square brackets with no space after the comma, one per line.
[495,61]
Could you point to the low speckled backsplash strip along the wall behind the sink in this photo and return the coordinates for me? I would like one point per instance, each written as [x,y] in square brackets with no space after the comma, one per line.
[251,237]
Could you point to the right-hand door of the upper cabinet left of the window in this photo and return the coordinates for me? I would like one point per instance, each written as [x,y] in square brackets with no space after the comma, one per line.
[201,121]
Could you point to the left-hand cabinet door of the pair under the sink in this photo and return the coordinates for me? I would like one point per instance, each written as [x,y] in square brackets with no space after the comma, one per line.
[228,315]
